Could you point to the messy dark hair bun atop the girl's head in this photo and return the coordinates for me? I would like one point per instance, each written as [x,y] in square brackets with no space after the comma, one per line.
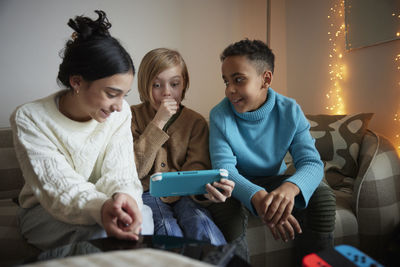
[86,28]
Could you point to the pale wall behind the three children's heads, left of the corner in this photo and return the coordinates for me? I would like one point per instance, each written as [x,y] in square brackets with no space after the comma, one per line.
[33,33]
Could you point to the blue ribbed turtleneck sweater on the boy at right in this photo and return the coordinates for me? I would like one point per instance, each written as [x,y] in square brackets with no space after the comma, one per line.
[253,144]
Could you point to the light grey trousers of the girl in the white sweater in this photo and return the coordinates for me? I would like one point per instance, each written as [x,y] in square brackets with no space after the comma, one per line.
[45,232]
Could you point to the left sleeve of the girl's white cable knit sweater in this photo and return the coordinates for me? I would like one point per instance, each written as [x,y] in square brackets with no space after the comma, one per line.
[62,191]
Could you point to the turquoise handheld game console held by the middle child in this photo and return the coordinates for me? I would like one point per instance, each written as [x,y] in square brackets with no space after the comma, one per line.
[164,184]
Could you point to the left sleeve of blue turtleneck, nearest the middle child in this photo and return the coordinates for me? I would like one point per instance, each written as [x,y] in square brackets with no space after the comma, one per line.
[222,157]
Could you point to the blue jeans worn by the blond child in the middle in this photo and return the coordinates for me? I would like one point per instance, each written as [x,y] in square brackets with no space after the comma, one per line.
[184,218]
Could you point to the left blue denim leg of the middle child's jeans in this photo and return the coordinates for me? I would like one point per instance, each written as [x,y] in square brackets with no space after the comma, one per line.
[165,222]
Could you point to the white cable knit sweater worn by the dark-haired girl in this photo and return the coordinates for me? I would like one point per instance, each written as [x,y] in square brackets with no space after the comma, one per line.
[71,168]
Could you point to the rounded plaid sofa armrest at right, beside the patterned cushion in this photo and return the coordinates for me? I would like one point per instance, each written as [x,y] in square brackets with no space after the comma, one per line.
[376,195]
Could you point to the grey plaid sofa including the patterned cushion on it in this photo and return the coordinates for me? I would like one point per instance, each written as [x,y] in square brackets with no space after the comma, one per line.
[361,166]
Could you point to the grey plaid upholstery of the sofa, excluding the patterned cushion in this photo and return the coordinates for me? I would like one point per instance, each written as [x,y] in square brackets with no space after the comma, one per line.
[367,211]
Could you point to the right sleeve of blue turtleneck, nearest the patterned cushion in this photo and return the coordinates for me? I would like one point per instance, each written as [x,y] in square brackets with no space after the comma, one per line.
[309,167]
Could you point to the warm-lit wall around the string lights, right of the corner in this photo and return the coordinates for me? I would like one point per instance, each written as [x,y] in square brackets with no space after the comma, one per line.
[371,80]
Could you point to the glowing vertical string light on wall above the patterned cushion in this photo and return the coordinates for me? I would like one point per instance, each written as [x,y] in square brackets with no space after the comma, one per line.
[336,67]
